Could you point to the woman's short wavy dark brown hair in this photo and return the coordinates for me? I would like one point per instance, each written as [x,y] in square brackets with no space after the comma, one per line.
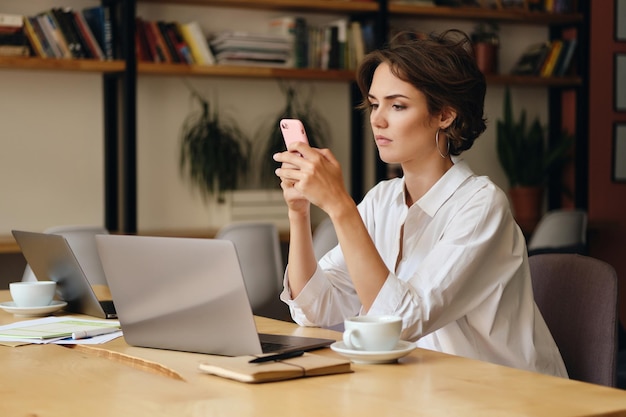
[443,68]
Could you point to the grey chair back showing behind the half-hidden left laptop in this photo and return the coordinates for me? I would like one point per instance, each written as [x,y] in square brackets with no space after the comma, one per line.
[83,243]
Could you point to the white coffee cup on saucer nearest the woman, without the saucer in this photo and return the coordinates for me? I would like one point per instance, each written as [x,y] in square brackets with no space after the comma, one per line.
[372,333]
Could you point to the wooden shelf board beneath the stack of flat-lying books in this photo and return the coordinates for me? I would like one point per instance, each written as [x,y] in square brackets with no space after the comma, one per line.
[244,72]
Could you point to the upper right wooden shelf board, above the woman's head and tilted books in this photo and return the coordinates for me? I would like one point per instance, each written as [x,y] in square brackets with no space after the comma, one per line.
[477,13]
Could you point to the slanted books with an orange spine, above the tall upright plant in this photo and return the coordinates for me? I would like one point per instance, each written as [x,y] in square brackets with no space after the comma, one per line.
[546,59]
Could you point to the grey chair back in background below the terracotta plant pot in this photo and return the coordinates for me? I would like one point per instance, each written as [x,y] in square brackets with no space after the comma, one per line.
[563,231]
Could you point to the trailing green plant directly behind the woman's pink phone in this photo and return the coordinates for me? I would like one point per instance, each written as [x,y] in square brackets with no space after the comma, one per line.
[295,108]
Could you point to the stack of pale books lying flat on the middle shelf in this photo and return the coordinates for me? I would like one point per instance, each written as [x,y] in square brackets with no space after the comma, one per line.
[248,48]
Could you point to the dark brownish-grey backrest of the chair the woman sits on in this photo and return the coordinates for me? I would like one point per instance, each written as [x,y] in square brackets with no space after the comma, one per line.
[577,296]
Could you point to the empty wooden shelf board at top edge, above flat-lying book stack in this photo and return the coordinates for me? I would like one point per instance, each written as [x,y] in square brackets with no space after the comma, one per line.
[323,6]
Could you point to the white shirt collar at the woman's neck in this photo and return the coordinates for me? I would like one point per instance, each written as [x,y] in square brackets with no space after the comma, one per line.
[442,190]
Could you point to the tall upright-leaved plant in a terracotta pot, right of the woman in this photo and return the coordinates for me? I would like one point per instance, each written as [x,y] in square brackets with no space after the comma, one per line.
[528,162]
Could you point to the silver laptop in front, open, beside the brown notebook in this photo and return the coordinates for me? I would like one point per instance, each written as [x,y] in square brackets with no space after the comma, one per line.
[186,294]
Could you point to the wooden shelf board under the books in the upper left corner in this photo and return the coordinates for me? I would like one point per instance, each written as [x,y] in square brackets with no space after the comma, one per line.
[81,65]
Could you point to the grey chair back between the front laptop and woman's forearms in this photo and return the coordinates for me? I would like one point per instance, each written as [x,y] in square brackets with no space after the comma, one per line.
[260,257]
